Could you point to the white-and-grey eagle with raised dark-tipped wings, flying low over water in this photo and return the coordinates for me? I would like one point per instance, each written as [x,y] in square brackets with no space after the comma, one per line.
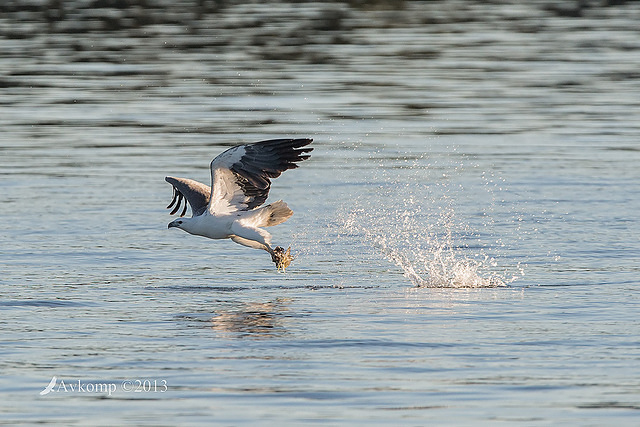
[232,208]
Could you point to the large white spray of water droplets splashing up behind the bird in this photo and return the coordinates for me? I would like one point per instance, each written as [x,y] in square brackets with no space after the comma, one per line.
[415,226]
